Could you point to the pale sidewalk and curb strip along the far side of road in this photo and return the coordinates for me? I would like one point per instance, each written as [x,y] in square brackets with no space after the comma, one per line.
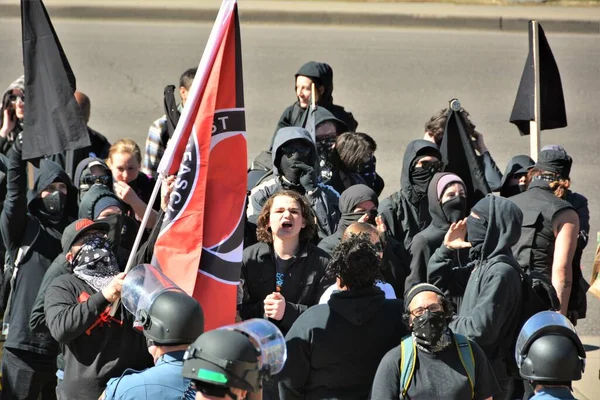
[428,15]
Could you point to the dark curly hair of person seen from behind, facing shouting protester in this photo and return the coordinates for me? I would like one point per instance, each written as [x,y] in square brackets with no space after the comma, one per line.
[355,262]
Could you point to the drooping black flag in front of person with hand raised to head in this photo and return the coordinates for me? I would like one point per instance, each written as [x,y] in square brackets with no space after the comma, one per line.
[459,157]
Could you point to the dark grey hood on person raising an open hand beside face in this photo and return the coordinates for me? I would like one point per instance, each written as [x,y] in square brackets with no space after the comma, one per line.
[504,220]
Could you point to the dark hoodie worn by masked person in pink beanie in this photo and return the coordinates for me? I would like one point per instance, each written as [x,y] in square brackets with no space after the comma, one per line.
[428,240]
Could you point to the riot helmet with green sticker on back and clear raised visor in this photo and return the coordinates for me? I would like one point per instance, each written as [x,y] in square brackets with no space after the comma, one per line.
[236,356]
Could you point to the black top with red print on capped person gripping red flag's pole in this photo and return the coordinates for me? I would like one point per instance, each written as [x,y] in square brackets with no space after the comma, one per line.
[95,349]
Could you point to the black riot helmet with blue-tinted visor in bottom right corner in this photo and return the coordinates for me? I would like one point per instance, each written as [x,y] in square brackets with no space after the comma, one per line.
[549,350]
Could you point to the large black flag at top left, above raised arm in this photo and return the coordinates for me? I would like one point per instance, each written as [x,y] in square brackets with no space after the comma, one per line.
[53,122]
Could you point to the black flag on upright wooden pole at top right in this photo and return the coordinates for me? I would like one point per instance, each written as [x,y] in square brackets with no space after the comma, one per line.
[552,101]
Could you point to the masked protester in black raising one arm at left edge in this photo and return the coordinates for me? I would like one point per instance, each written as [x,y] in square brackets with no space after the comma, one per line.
[31,225]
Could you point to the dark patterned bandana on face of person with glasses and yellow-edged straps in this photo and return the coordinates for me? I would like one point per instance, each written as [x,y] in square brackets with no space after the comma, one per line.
[430,331]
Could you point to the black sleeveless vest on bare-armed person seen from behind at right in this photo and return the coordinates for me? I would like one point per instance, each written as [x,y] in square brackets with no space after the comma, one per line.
[535,249]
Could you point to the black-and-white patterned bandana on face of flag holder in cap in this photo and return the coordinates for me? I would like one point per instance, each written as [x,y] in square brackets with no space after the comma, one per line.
[95,264]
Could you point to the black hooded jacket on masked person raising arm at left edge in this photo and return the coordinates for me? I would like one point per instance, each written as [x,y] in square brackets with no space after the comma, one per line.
[23,224]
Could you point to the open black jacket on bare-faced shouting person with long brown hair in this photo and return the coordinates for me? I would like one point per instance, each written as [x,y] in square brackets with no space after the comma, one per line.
[303,287]
